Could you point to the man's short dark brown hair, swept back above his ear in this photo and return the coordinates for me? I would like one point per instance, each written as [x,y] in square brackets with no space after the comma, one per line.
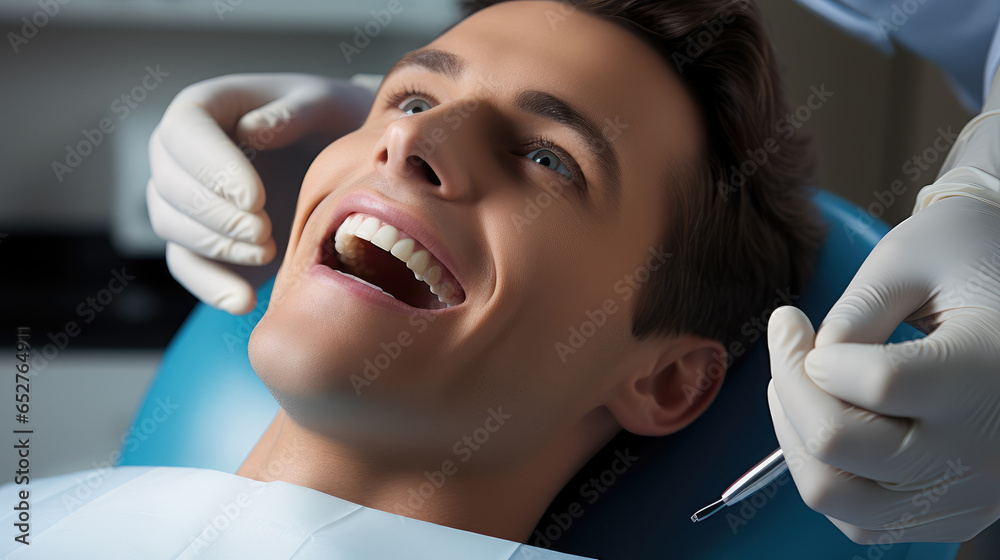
[744,226]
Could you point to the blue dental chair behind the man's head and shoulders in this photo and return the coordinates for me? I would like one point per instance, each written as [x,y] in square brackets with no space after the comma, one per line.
[207,408]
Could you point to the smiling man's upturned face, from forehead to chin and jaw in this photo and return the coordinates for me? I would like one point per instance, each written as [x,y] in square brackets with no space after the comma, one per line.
[548,273]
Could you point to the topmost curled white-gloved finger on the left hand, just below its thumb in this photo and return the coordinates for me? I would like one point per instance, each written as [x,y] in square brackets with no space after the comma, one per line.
[194,140]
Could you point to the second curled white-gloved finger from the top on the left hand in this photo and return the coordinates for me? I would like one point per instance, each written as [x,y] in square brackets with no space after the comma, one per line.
[186,194]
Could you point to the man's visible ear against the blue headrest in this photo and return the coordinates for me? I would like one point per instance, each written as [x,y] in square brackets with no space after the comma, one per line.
[675,386]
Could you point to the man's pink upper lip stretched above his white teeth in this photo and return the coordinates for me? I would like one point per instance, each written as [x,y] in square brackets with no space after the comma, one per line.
[395,215]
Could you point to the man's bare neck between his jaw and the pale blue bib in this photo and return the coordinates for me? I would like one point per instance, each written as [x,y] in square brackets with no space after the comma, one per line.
[506,504]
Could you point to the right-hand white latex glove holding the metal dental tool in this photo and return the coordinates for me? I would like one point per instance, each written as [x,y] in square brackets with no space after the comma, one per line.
[901,442]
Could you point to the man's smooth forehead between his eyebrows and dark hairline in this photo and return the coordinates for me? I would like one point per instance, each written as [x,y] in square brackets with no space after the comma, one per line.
[625,87]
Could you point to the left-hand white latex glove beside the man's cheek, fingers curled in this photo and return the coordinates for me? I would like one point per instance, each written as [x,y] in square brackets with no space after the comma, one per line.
[205,197]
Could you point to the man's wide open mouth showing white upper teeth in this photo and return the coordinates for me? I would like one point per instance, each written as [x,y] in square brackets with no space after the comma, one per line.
[390,260]
